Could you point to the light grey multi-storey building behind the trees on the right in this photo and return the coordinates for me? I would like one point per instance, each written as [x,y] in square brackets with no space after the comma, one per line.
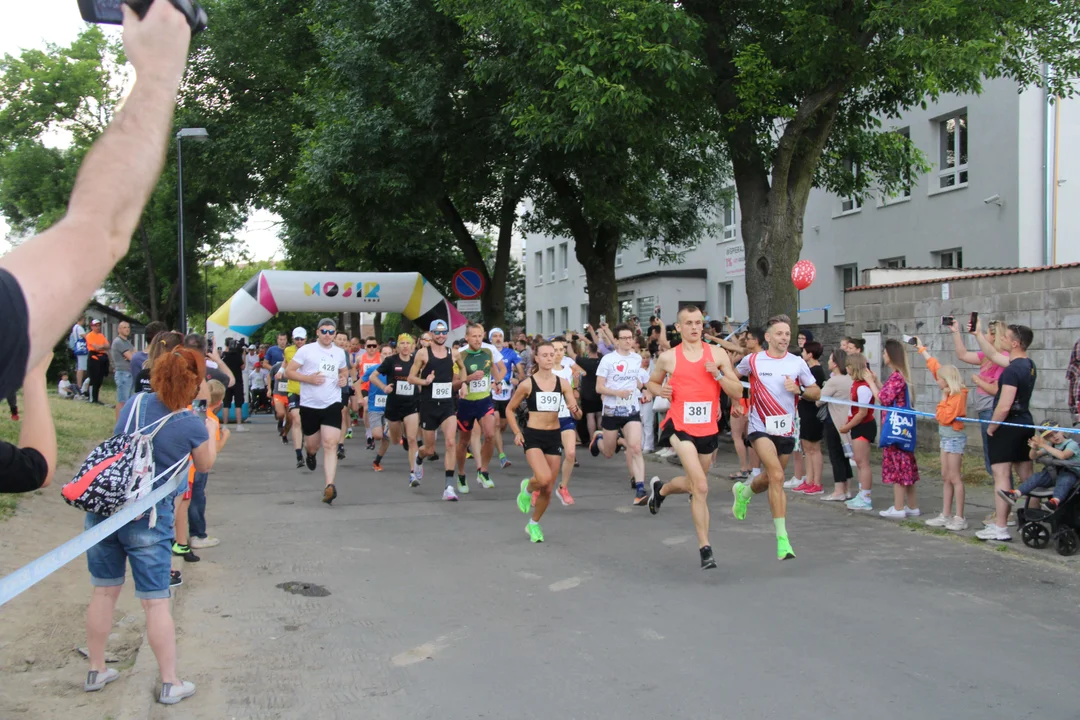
[998,197]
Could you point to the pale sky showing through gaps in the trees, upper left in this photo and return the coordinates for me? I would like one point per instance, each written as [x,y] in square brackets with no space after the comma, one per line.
[30,24]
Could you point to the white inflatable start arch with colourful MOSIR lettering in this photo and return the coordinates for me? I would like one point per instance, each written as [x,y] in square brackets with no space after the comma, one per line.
[272,292]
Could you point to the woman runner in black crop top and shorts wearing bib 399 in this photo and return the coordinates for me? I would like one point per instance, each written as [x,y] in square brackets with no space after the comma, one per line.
[545,393]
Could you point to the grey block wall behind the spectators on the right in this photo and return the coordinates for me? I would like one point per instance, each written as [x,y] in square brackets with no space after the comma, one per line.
[1047,301]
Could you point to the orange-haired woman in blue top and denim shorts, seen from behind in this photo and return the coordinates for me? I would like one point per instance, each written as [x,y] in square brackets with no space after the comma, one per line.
[178,378]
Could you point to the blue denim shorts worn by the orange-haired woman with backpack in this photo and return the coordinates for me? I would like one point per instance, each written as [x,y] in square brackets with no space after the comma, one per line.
[148,550]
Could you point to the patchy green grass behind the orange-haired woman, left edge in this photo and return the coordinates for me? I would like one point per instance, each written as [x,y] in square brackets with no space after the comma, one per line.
[79,428]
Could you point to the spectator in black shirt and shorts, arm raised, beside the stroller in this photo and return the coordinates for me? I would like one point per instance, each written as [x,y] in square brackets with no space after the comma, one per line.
[1008,445]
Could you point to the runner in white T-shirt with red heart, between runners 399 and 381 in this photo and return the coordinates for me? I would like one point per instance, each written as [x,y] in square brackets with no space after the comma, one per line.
[618,383]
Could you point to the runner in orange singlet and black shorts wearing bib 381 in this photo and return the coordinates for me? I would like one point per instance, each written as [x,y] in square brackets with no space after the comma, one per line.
[697,372]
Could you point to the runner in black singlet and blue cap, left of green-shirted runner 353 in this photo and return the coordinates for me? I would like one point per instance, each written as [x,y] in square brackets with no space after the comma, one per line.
[434,370]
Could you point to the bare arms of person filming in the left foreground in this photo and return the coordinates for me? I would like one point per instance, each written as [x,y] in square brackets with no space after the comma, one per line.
[113,187]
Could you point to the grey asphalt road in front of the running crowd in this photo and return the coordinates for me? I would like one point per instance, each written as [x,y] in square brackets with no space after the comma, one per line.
[445,610]
